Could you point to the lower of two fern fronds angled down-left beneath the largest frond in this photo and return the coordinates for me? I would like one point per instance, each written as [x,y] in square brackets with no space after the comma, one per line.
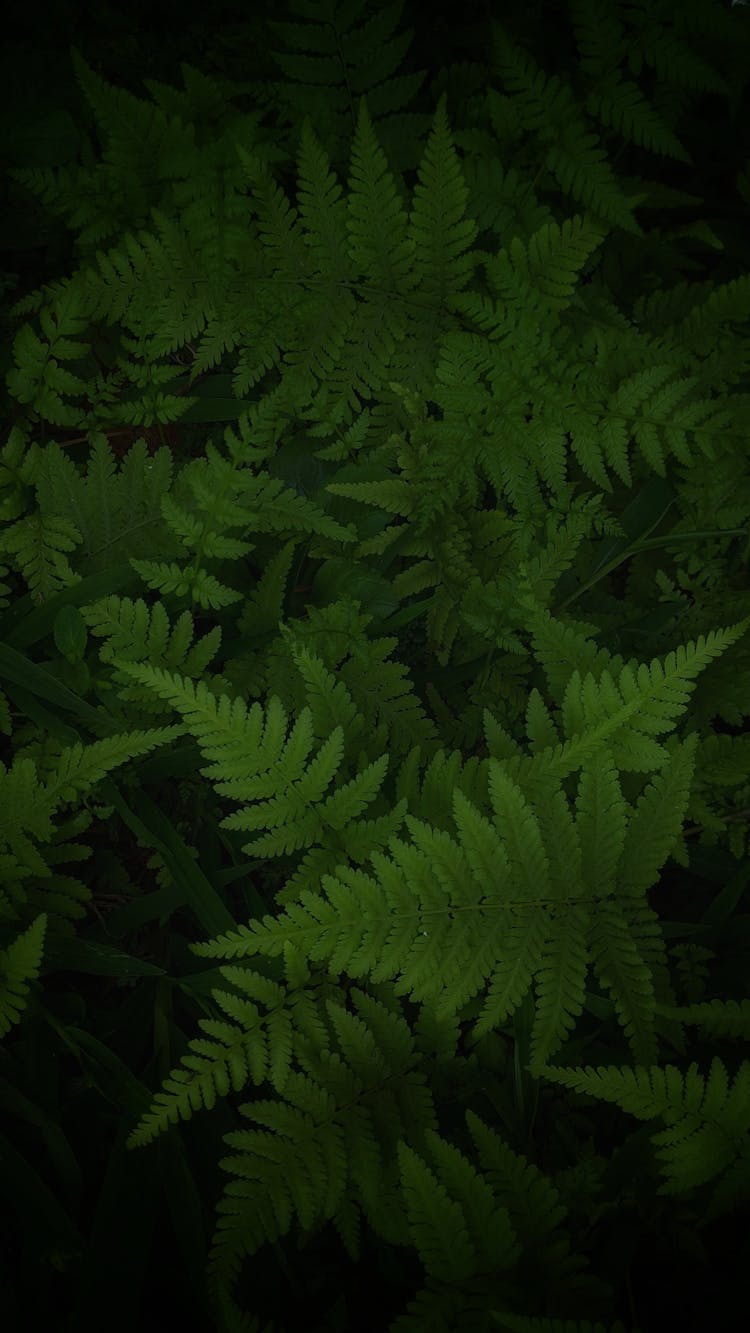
[330,1148]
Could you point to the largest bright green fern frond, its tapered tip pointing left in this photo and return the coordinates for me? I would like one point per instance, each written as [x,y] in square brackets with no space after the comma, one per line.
[424,916]
